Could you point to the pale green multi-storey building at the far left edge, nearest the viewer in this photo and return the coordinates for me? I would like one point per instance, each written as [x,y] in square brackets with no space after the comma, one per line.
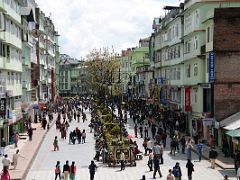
[10,66]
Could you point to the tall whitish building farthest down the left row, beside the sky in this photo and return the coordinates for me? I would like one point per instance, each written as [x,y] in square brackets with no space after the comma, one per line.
[44,70]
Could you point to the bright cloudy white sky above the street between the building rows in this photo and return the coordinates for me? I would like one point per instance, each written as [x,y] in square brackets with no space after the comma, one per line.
[88,24]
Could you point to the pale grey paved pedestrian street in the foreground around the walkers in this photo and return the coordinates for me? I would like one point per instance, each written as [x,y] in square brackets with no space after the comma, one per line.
[44,164]
